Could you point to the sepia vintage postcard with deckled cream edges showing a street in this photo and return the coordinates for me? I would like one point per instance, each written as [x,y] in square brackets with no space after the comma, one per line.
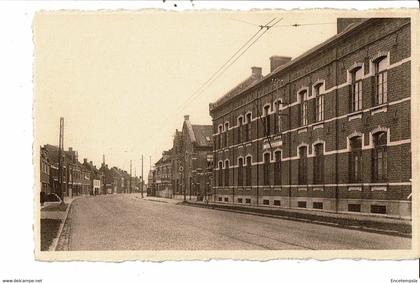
[218,134]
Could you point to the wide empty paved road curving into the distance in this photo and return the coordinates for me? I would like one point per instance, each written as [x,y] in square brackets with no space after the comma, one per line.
[125,222]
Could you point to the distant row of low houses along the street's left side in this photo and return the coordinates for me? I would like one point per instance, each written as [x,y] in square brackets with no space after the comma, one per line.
[81,178]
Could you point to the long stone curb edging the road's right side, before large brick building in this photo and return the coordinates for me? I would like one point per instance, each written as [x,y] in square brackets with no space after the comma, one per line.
[331,224]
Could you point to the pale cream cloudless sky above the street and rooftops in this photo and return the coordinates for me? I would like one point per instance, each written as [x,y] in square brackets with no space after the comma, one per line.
[122,80]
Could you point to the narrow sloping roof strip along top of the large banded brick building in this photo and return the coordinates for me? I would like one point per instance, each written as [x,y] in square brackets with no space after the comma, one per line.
[228,96]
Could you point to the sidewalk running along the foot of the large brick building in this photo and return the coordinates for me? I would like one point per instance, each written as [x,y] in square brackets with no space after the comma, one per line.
[391,226]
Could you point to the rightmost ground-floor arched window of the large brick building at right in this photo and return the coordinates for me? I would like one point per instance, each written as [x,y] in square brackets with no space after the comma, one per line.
[380,160]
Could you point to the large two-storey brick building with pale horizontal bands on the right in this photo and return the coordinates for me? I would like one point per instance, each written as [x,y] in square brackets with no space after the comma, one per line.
[328,130]
